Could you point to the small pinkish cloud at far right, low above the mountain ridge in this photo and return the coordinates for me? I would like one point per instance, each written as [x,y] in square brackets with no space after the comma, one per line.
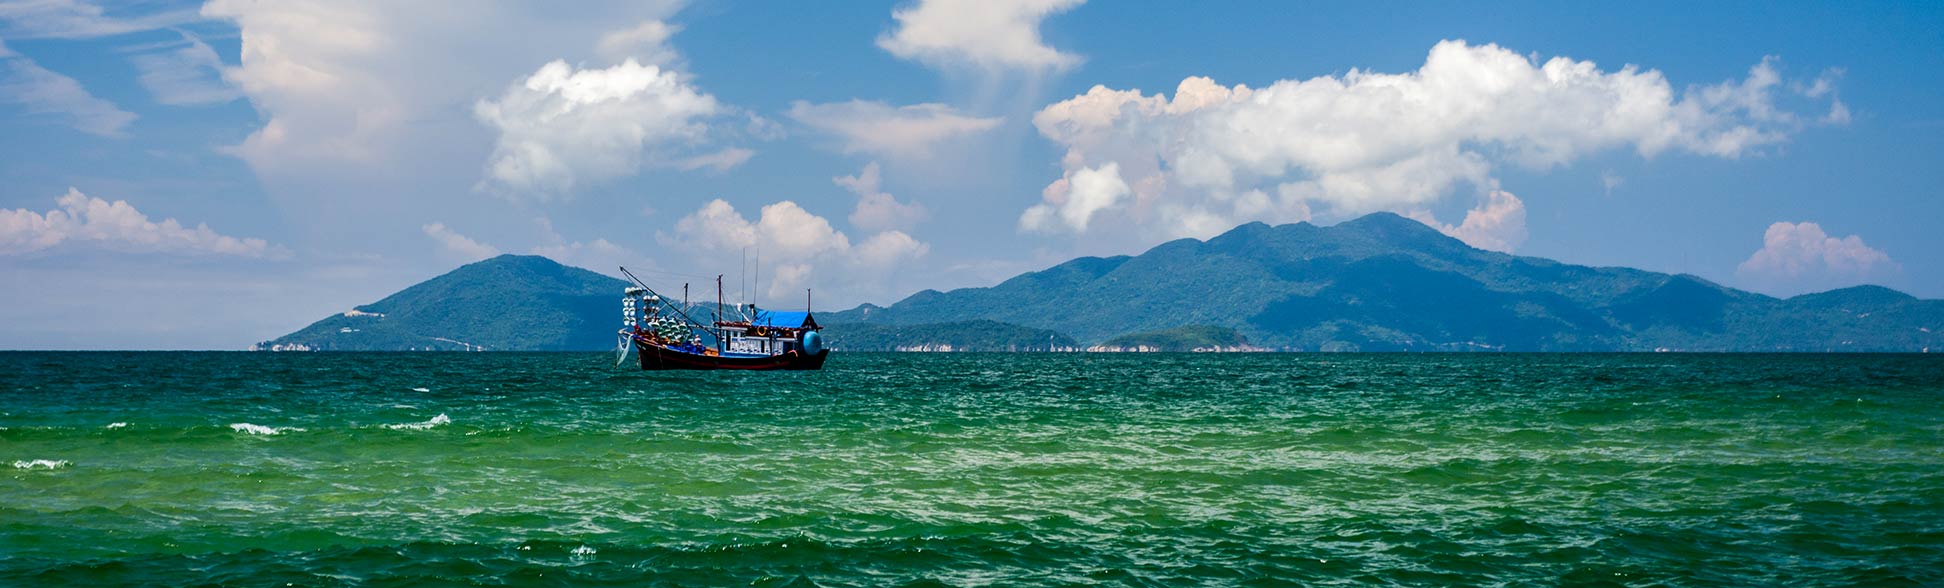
[1801,258]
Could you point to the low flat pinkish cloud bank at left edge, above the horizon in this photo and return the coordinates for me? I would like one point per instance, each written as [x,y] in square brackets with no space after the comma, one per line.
[118,227]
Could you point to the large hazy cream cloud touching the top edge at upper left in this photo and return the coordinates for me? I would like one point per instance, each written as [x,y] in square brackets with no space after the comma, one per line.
[372,87]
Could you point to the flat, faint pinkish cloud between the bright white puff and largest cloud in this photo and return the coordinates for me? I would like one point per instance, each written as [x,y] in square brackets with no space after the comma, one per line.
[885,131]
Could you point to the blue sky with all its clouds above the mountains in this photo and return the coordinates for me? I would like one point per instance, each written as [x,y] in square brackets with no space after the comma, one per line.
[209,176]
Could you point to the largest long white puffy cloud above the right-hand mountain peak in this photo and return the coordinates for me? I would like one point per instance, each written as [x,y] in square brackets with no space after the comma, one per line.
[1216,155]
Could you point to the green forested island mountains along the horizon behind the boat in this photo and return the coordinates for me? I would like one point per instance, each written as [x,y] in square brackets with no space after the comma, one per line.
[1377,283]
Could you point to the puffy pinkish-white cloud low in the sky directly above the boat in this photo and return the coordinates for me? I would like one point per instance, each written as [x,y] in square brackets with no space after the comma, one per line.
[798,248]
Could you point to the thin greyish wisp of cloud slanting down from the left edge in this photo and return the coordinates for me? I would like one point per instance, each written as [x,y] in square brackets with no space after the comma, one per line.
[44,92]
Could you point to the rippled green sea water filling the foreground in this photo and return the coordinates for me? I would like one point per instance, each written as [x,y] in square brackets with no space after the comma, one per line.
[973,470]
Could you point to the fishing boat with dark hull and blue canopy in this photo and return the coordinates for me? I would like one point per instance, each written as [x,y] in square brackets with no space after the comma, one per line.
[664,336]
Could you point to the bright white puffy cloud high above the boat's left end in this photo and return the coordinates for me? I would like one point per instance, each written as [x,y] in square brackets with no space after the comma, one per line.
[565,126]
